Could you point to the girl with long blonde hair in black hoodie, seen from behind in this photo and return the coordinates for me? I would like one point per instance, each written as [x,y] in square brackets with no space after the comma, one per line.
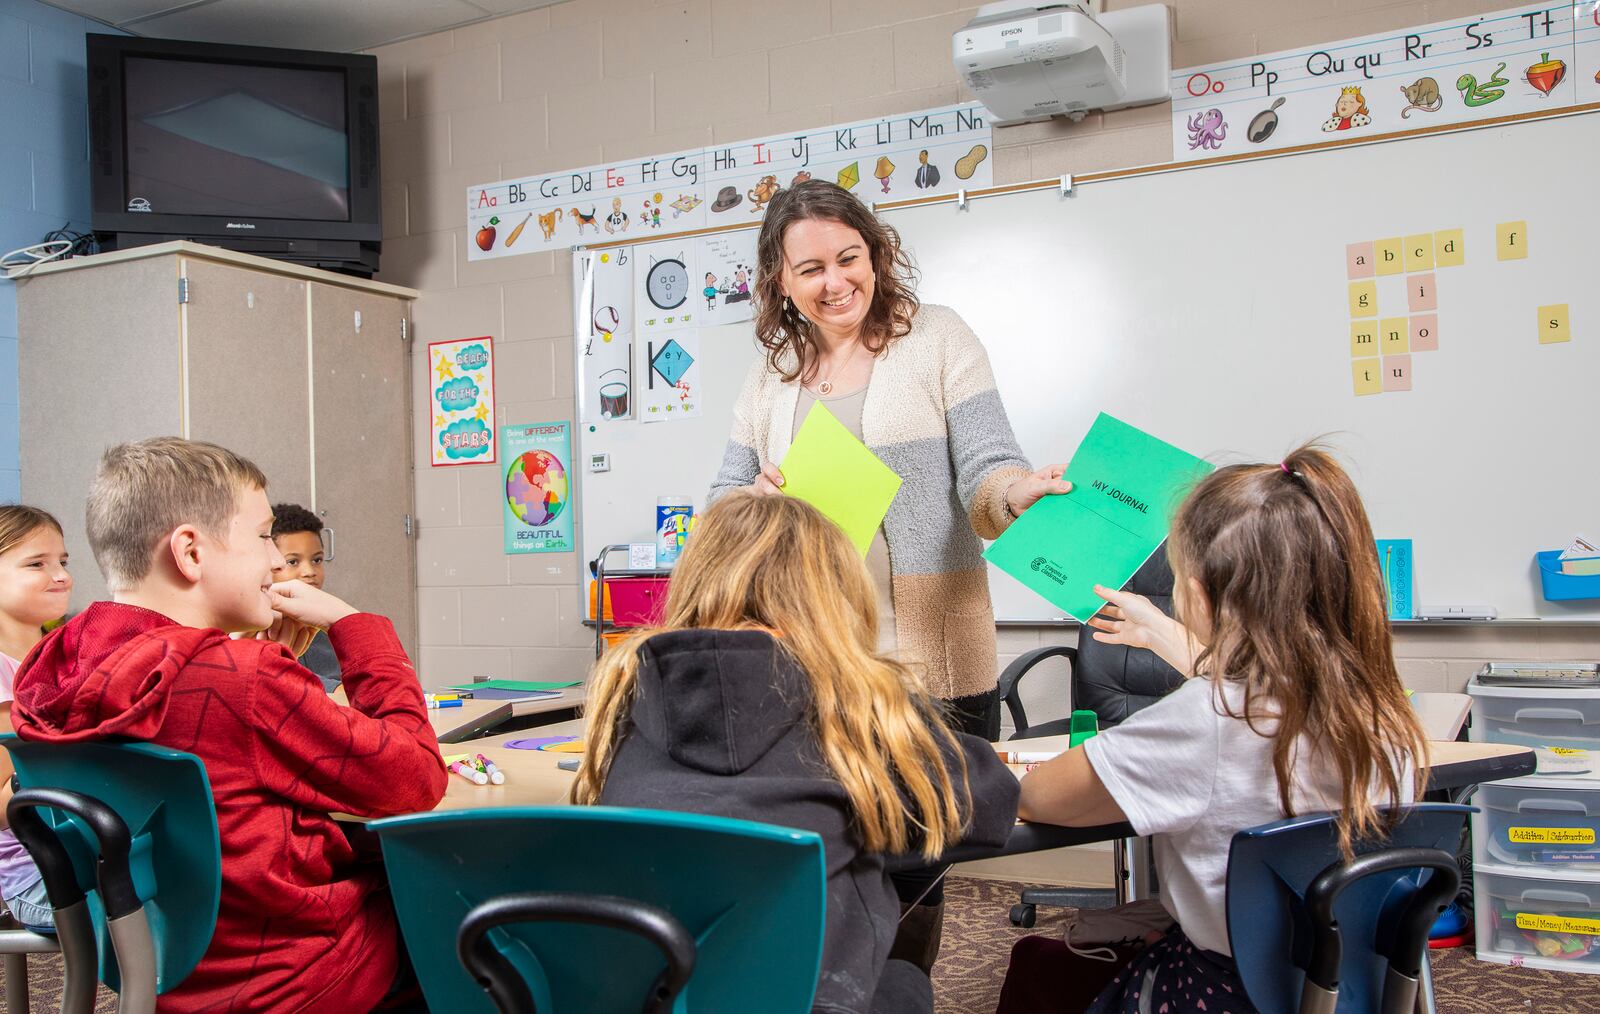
[762,697]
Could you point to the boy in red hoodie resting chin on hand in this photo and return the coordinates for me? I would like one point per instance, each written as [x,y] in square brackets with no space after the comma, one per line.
[183,533]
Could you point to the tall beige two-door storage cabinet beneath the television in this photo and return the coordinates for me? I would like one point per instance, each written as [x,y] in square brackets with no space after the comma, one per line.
[303,372]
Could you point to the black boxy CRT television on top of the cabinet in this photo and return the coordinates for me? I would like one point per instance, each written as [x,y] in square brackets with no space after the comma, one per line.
[263,151]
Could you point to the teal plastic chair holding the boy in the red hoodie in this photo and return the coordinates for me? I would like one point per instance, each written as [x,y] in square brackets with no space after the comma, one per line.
[174,856]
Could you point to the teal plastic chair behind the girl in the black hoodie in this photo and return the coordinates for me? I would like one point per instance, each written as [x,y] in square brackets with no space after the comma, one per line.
[594,909]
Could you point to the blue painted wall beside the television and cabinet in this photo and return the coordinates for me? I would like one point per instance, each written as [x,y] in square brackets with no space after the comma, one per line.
[44,166]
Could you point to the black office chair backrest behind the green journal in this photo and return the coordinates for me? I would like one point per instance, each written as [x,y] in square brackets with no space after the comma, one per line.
[1114,681]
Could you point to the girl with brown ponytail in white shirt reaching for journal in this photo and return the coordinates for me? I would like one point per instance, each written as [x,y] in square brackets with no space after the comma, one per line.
[1298,708]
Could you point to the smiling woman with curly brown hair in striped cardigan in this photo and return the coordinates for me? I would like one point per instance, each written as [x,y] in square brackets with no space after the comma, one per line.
[839,319]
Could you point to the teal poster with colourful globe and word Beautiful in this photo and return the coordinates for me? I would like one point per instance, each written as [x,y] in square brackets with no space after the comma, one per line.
[538,489]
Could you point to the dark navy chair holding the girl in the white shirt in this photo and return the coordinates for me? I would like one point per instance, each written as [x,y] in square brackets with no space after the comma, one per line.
[1300,919]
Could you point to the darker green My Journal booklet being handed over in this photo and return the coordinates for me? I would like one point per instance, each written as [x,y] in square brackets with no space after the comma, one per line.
[1126,489]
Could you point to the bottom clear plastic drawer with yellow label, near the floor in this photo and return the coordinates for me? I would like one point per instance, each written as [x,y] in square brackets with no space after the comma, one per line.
[1540,922]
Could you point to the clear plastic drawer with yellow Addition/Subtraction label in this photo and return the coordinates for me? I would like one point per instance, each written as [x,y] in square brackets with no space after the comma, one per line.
[1538,823]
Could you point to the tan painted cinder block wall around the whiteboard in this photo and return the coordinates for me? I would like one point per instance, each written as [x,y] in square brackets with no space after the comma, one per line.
[594,81]
